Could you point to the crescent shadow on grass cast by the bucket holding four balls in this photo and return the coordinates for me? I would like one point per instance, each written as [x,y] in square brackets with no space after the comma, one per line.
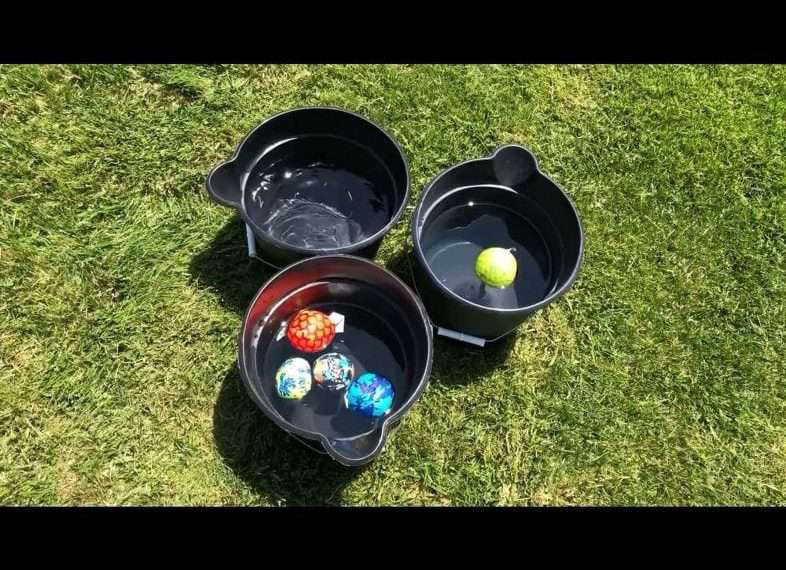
[268,460]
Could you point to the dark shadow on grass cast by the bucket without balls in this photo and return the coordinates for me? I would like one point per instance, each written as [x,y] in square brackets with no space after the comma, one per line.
[224,267]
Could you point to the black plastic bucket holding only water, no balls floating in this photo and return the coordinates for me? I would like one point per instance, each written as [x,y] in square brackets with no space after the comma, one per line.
[314,181]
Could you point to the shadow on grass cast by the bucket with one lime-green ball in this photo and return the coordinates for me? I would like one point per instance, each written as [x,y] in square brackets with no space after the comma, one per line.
[455,363]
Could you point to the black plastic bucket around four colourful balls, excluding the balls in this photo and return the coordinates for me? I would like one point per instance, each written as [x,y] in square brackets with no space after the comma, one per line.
[387,331]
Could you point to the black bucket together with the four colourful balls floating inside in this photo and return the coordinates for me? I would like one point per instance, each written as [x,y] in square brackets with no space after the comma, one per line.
[381,332]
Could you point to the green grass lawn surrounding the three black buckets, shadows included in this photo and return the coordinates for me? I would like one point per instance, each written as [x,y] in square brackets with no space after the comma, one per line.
[659,379]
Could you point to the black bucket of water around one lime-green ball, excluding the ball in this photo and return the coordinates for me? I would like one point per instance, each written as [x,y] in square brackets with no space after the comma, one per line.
[503,200]
